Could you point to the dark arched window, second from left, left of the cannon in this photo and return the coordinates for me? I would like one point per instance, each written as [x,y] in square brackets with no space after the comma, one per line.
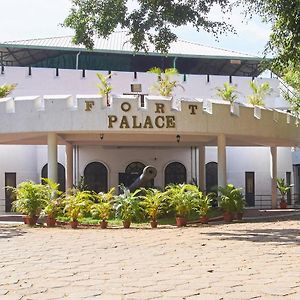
[95,177]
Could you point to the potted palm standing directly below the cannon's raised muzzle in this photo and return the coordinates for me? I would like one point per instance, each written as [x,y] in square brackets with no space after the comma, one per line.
[154,203]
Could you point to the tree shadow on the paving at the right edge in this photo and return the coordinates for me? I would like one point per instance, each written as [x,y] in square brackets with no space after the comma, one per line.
[275,236]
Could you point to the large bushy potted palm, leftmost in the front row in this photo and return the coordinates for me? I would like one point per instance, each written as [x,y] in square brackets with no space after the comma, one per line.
[30,200]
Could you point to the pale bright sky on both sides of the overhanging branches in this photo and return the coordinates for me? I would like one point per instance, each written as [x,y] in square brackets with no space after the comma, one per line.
[29,19]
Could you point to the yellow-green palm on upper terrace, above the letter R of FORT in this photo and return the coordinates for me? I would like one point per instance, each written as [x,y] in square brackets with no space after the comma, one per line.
[164,85]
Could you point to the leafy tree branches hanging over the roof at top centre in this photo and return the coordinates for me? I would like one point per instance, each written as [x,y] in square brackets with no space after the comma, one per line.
[149,20]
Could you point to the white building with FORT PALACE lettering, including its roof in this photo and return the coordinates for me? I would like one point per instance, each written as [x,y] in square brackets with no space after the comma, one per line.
[194,137]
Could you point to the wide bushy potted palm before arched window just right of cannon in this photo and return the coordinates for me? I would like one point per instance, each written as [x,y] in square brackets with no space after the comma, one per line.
[182,200]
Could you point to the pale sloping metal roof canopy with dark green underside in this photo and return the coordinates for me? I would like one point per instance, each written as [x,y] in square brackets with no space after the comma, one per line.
[116,53]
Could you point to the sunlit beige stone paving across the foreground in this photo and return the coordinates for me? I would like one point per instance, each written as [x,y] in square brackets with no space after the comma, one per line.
[234,261]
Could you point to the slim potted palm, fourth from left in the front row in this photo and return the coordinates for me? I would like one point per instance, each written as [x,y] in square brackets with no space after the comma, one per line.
[103,208]
